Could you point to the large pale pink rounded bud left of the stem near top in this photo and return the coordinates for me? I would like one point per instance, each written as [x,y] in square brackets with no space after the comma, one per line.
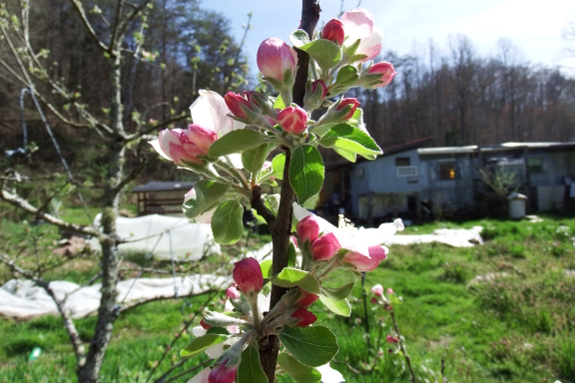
[275,58]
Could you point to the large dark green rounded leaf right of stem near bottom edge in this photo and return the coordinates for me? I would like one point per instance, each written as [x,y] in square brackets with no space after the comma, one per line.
[312,346]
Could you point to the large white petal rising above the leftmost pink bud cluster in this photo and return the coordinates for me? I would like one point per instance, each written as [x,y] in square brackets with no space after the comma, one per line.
[210,111]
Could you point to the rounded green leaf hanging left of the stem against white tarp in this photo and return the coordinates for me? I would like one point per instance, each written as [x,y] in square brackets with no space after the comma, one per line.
[227,225]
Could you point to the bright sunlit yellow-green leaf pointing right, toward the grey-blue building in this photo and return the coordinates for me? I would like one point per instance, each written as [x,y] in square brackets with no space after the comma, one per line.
[348,141]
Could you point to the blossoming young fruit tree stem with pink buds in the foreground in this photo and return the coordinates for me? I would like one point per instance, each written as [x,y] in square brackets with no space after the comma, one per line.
[267,327]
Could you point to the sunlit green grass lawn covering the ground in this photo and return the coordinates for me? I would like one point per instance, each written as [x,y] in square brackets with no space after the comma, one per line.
[501,312]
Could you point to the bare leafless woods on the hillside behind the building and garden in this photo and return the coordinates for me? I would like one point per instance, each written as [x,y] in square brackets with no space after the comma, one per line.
[455,96]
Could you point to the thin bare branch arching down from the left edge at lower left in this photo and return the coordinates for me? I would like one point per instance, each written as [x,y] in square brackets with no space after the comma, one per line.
[68,322]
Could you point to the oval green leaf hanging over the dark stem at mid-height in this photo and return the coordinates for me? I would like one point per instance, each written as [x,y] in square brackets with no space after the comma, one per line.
[306,172]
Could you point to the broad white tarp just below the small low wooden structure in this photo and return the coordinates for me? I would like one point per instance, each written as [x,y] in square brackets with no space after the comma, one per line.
[188,241]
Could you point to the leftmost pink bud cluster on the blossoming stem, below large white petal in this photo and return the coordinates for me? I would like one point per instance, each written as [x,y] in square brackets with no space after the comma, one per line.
[183,146]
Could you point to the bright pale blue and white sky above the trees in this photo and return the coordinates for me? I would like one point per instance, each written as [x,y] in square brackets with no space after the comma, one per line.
[535,27]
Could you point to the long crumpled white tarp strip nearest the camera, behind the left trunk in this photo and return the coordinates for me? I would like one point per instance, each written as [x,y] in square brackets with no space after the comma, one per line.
[21,299]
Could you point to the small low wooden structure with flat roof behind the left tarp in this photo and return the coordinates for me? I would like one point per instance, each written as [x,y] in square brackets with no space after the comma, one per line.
[161,197]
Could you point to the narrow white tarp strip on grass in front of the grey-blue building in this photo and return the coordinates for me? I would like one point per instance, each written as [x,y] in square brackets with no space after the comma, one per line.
[451,237]
